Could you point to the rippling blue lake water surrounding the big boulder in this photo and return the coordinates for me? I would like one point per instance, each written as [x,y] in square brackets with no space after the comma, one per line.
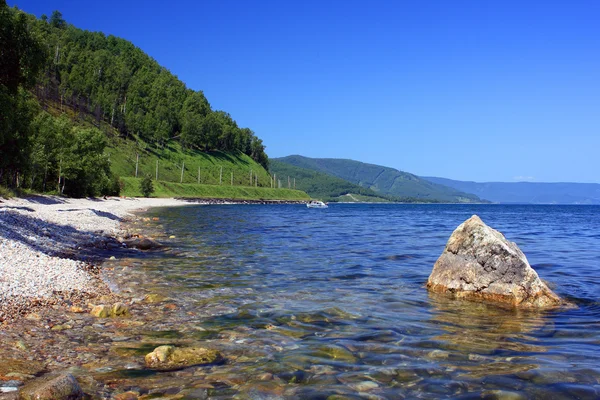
[314,304]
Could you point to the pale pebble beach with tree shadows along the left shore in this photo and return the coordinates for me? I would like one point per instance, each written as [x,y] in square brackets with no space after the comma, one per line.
[41,241]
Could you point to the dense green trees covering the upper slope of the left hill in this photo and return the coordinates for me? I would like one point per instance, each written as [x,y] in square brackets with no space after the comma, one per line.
[119,84]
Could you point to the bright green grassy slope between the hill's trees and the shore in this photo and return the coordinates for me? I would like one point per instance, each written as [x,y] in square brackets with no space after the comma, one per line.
[122,153]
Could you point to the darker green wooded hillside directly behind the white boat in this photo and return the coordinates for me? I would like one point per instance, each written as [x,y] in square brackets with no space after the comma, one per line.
[322,186]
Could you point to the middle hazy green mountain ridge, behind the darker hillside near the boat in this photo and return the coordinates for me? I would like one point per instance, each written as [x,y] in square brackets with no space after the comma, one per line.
[382,180]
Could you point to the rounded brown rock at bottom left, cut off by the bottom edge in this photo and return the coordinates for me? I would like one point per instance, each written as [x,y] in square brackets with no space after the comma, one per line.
[52,387]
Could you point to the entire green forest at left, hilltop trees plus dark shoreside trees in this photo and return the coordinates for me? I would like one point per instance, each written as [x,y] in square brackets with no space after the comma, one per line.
[53,76]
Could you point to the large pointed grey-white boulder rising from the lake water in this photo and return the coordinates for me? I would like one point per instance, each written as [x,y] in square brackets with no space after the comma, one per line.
[478,263]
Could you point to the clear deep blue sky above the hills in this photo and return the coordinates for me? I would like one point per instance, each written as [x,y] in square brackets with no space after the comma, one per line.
[470,90]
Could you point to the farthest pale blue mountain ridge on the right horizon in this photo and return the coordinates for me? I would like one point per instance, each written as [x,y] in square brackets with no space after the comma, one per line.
[528,192]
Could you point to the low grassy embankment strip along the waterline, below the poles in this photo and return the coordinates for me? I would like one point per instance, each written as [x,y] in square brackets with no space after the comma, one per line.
[170,189]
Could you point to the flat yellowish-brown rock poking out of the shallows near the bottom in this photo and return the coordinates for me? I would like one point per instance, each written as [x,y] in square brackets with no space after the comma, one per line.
[171,357]
